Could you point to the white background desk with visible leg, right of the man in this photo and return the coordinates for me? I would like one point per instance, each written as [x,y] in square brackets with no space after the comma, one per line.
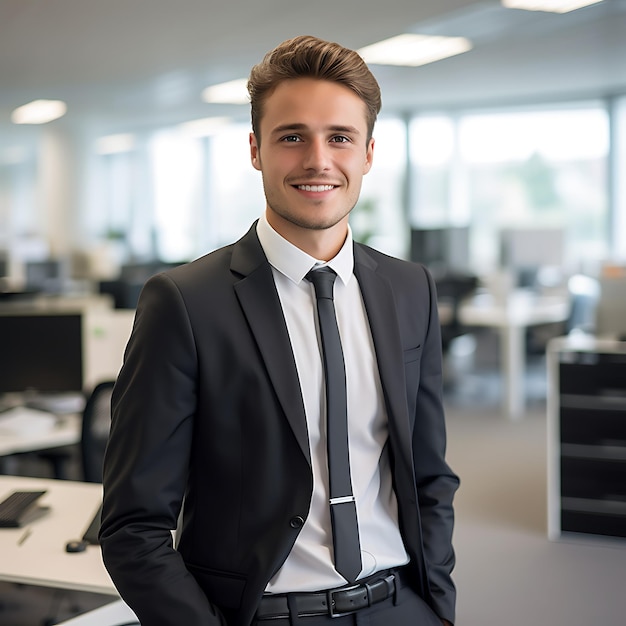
[511,316]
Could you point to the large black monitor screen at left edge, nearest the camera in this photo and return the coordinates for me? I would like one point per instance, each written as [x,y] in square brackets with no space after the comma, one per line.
[41,353]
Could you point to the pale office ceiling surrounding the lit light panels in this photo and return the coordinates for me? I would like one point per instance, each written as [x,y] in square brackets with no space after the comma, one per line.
[127,62]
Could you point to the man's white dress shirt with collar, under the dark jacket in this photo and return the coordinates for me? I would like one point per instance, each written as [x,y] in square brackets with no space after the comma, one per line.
[309,567]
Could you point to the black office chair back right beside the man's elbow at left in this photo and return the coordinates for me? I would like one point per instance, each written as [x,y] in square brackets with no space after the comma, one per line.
[95,431]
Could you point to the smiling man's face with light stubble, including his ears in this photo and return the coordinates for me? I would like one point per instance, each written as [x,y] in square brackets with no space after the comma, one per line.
[313,153]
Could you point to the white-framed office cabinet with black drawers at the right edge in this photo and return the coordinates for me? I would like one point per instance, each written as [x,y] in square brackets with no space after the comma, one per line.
[587,437]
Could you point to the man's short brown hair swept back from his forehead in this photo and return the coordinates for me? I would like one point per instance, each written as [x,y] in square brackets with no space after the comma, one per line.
[310,57]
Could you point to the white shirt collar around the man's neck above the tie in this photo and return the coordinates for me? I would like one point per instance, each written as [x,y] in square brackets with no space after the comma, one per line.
[294,263]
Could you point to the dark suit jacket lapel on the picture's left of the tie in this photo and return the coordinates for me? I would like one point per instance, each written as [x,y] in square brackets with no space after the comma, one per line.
[259,300]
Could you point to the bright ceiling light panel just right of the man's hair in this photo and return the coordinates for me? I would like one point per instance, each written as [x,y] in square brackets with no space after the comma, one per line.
[413,50]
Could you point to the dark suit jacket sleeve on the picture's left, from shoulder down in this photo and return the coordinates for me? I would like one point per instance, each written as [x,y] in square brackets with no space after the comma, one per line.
[145,467]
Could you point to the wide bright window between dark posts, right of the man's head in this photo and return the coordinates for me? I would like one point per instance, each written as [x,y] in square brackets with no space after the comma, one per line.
[539,168]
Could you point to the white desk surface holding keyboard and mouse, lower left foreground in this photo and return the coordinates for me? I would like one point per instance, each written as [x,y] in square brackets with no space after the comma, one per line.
[35,554]
